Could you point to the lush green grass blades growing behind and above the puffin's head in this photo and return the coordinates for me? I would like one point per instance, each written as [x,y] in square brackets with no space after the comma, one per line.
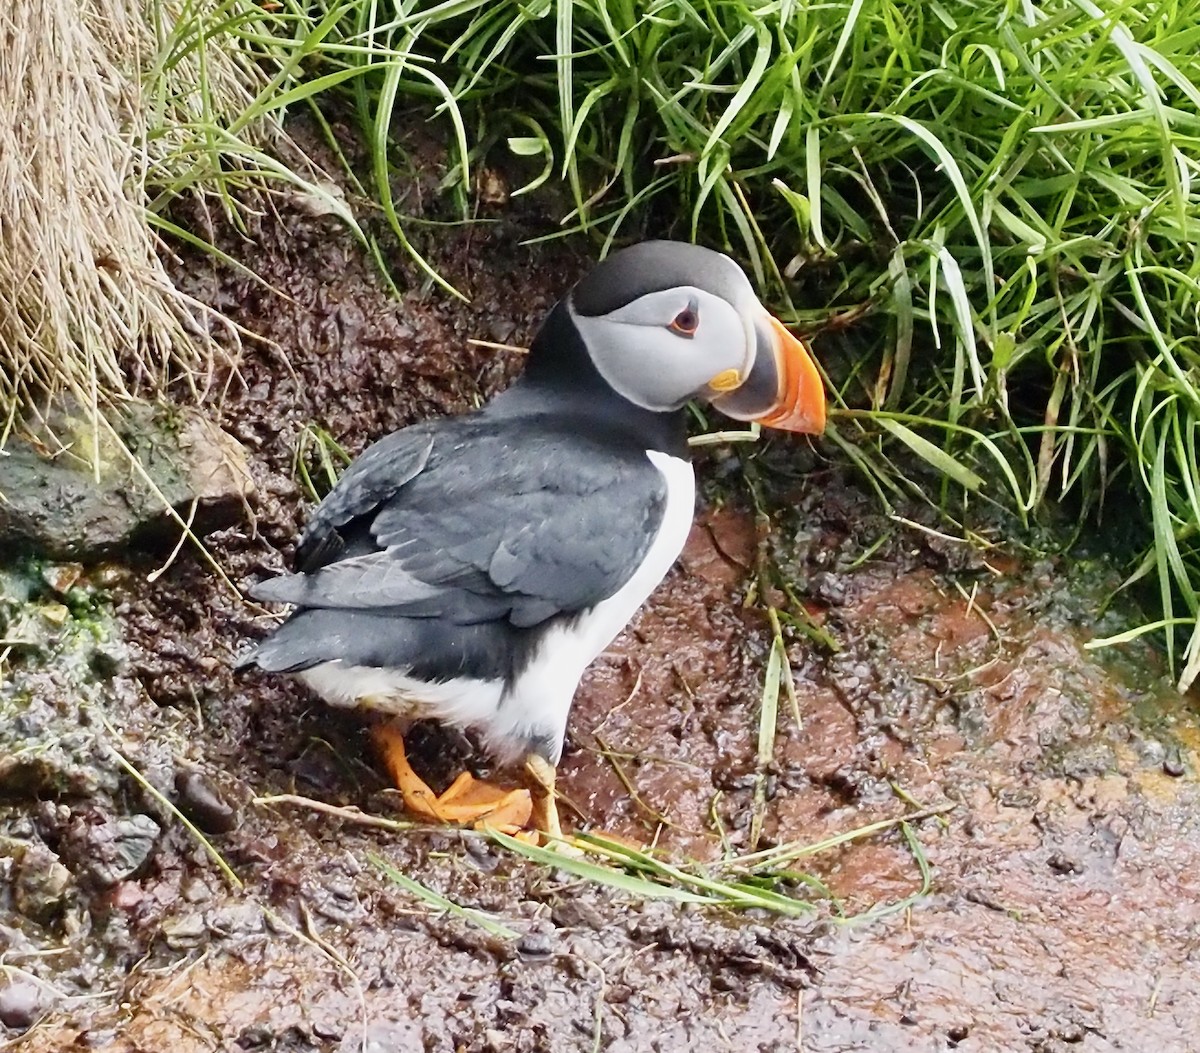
[986,214]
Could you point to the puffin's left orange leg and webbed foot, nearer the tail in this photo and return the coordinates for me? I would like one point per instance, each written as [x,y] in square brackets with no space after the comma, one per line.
[467,802]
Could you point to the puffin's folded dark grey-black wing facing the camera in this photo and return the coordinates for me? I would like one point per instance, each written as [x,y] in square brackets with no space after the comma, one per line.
[487,526]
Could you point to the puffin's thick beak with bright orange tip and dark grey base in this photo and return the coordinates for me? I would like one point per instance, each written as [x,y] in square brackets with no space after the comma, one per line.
[783,389]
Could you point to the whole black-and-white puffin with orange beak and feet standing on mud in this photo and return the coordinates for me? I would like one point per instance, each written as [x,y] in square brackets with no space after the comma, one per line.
[470,569]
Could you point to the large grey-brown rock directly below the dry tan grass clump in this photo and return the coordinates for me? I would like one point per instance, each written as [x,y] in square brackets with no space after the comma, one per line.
[56,507]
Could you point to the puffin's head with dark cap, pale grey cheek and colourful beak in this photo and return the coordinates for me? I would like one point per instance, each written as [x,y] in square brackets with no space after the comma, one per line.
[665,322]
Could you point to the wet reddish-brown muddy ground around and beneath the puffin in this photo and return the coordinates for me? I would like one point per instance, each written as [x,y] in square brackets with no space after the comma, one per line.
[1057,786]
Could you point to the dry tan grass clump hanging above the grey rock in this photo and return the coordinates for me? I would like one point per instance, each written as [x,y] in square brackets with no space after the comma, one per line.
[86,304]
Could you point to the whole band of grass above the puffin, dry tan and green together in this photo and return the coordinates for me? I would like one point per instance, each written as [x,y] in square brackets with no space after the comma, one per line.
[986,214]
